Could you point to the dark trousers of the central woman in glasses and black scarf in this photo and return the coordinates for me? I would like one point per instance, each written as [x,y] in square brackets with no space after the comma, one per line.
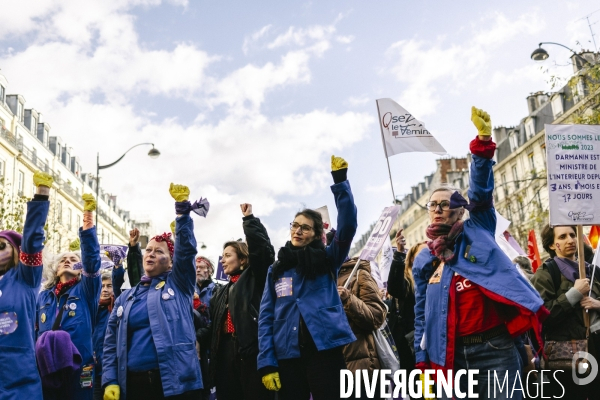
[316,372]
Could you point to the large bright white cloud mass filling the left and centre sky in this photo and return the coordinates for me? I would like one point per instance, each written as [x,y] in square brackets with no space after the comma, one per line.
[242,156]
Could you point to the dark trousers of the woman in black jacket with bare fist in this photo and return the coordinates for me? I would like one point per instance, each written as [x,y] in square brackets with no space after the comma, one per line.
[237,377]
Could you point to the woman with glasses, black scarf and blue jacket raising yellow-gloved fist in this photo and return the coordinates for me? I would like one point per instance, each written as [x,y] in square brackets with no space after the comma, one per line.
[302,326]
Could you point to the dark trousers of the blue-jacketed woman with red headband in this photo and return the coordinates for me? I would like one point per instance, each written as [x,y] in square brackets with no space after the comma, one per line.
[148,386]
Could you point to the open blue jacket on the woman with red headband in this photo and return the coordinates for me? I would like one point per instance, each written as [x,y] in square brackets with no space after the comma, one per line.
[171,323]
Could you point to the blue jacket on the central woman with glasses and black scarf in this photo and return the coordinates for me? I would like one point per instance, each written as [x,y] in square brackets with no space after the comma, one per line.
[316,300]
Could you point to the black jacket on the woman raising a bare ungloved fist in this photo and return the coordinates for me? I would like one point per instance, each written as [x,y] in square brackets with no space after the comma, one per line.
[244,297]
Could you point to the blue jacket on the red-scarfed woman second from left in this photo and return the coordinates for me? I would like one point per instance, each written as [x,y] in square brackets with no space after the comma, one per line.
[82,303]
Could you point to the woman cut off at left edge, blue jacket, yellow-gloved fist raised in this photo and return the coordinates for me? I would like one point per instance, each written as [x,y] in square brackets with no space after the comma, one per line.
[20,278]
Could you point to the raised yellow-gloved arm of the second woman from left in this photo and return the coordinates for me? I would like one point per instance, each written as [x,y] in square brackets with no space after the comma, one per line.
[90,256]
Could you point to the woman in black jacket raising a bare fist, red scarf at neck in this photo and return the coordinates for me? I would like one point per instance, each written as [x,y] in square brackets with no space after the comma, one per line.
[234,314]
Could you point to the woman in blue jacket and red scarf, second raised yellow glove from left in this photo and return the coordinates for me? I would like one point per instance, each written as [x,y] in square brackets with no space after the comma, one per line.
[77,292]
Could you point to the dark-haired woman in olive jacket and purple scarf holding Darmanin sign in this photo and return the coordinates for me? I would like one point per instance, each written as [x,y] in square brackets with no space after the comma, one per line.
[566,294]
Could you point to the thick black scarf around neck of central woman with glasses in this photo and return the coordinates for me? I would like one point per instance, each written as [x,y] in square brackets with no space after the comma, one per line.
[309,261]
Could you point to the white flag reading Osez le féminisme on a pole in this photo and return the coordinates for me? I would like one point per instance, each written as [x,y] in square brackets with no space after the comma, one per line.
[402,132]
